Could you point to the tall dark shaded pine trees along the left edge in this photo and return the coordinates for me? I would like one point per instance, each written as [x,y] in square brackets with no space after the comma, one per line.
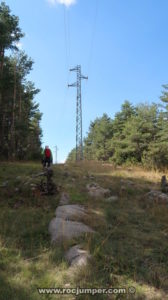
[20,132]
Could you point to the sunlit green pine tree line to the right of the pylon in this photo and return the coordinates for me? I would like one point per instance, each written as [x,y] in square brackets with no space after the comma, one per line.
[136,135]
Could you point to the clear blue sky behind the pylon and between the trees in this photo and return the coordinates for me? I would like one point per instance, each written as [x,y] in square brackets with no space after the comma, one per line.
[122,46]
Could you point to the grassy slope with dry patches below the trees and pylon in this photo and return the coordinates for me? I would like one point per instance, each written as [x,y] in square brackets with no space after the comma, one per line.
[129,248]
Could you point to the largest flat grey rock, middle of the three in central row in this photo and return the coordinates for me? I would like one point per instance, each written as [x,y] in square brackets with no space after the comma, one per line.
[61,230]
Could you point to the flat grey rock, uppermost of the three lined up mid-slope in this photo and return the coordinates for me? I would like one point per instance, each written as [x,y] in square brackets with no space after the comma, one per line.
[70,212]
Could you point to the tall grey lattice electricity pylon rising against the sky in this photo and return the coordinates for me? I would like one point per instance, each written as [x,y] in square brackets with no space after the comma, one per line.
[79,138]
